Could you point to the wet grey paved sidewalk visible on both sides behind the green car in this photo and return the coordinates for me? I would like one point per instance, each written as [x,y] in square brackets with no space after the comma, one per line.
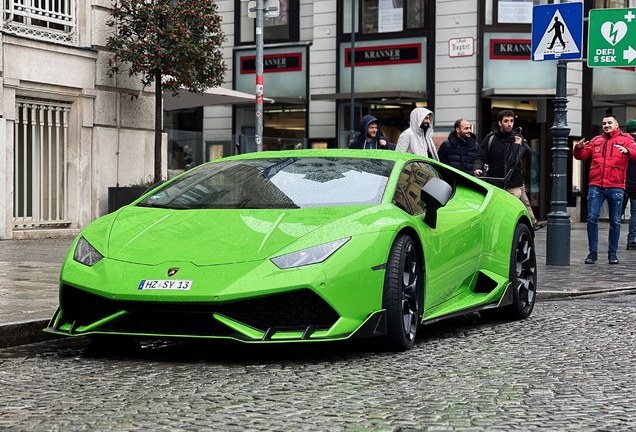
[29,273]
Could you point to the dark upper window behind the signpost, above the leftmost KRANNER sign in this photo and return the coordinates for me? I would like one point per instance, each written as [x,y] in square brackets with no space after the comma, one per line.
[283,28]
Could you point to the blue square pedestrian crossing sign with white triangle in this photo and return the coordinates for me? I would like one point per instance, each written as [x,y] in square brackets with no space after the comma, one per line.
[557,31]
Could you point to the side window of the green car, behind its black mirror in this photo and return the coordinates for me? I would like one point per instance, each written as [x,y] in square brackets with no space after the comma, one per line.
[413,178]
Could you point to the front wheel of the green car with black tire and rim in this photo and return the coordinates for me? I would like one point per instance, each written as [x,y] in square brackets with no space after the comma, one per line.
[402,296]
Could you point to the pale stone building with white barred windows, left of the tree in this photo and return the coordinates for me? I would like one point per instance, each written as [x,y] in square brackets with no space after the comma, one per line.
[68,132]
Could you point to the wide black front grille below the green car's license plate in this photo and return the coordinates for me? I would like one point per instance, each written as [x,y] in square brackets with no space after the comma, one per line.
[293,310]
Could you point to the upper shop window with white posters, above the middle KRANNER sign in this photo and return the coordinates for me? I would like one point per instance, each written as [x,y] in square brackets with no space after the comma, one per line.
[384,16]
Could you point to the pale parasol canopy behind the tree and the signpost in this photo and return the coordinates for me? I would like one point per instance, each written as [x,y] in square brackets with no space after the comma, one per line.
[212,96]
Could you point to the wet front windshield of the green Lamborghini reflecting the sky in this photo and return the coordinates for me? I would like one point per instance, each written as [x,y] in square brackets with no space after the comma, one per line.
[276,183]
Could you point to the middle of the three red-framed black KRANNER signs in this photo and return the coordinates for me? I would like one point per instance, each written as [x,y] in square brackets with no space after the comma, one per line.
[385,55]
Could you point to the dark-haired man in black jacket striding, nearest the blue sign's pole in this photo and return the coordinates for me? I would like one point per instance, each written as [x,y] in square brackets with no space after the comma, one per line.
[502,150]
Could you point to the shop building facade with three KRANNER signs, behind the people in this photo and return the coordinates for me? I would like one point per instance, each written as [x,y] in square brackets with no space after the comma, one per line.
[460,59]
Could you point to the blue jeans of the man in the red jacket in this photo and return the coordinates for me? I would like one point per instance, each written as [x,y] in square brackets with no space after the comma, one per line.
[595,197]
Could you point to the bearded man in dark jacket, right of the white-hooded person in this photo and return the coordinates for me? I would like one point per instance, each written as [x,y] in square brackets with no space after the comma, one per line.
[461,148]
